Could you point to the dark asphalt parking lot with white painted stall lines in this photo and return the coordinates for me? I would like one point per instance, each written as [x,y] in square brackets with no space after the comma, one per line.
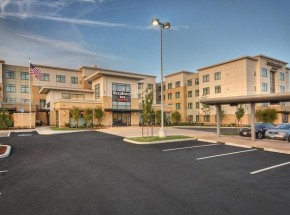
[97,173]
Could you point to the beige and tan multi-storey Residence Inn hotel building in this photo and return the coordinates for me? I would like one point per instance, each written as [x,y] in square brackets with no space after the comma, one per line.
[120,93]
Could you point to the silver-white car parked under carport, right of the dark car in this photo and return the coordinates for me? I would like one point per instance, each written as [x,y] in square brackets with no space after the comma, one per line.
[280,132]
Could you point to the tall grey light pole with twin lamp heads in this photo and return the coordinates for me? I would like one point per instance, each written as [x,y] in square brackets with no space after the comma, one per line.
[163,25]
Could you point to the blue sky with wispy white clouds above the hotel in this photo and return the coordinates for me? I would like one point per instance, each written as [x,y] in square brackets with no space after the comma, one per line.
[117,34]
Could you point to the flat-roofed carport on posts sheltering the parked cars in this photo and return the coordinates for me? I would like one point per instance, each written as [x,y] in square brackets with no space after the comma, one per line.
[247,99]
